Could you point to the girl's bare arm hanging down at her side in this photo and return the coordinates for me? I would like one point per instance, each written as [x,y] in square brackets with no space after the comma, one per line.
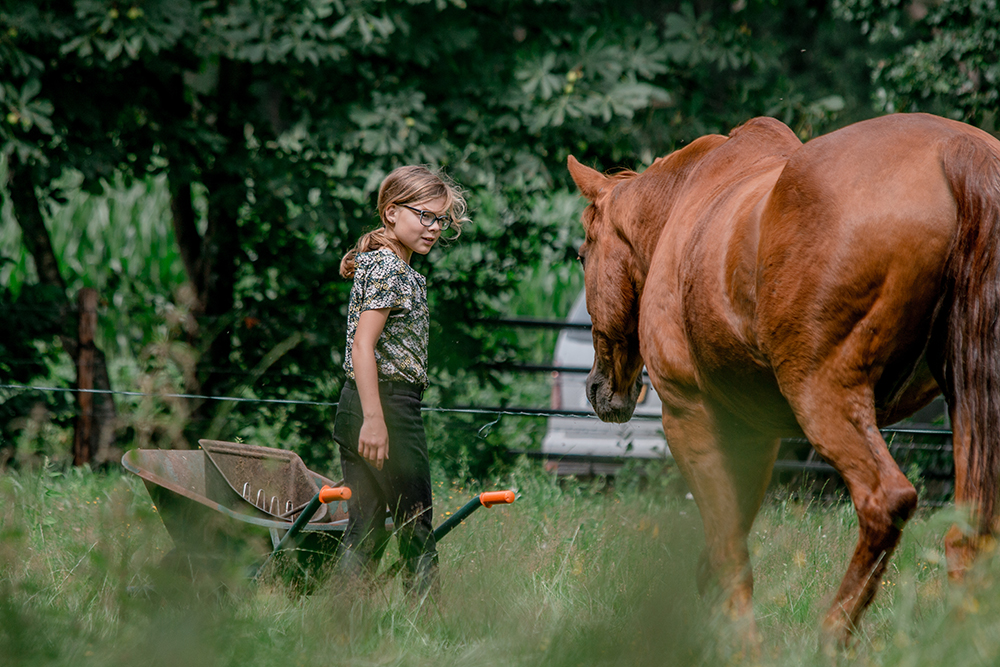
[373,442]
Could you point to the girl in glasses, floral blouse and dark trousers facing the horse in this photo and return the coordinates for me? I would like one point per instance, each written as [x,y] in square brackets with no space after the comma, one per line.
[378,426]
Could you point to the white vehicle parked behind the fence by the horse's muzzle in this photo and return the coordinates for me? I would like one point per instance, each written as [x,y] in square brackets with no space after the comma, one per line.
[570,437]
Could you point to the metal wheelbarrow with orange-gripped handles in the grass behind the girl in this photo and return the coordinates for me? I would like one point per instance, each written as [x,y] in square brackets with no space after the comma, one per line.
[228,499]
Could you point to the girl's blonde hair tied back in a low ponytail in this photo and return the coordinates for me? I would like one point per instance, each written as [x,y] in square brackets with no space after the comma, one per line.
[408,185]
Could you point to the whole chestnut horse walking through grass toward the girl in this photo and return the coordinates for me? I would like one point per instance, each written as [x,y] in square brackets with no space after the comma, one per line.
[774,288]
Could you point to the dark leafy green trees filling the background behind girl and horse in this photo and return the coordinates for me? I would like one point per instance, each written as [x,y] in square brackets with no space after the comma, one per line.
[202,165]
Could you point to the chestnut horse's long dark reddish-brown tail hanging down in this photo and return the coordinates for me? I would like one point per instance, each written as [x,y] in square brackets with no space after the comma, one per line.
[972,349]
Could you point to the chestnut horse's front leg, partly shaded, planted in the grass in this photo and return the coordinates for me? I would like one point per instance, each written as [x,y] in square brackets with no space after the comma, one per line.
[728,469]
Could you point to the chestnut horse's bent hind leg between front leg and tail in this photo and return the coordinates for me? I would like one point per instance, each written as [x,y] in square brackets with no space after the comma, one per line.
[839,421]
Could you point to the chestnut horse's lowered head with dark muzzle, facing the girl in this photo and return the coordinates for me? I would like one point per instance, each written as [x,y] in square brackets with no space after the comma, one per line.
[612,298]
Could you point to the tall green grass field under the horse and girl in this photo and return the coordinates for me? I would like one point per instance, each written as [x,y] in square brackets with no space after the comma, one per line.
[570,574]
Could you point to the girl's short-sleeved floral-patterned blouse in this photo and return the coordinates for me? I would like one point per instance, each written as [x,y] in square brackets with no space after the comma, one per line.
[383,280]
